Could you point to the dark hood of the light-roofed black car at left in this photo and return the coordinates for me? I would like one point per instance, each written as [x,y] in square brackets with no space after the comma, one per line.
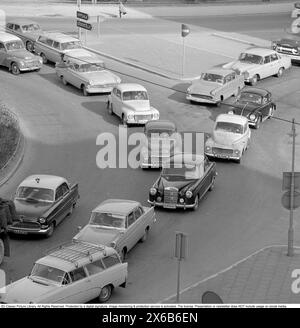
[31,209]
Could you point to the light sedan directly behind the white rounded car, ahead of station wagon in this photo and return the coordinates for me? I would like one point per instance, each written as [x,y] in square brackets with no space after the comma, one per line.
[86,73]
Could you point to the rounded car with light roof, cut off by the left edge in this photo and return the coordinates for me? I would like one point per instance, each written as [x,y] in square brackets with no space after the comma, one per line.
[15,57]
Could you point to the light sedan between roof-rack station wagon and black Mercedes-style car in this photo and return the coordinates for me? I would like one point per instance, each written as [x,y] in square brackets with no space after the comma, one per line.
[118,223]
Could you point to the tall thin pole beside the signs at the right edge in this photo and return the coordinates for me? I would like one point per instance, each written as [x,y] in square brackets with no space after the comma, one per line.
[291,229]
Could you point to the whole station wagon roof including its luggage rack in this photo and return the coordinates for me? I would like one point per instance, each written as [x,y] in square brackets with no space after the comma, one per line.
[74,254]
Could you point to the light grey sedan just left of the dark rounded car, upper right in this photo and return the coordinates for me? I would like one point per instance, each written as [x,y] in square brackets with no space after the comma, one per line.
[215,85]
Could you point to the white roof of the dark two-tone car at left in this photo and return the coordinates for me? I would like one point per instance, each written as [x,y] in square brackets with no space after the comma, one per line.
[43,181]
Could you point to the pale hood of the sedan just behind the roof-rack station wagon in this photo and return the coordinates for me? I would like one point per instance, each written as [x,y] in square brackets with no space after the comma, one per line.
[97,234]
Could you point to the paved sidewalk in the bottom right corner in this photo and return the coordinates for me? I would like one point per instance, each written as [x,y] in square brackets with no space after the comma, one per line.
[264,277]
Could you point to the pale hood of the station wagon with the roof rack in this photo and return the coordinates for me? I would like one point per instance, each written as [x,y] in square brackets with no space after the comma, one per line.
[26,290]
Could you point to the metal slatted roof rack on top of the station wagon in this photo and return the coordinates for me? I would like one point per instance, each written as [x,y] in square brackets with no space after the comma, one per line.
[73,251]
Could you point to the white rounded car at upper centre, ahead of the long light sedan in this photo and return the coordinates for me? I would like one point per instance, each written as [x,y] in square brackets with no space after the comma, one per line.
[131,103]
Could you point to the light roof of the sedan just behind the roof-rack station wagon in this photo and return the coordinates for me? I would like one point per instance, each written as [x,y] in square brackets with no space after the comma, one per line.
[117,206]
